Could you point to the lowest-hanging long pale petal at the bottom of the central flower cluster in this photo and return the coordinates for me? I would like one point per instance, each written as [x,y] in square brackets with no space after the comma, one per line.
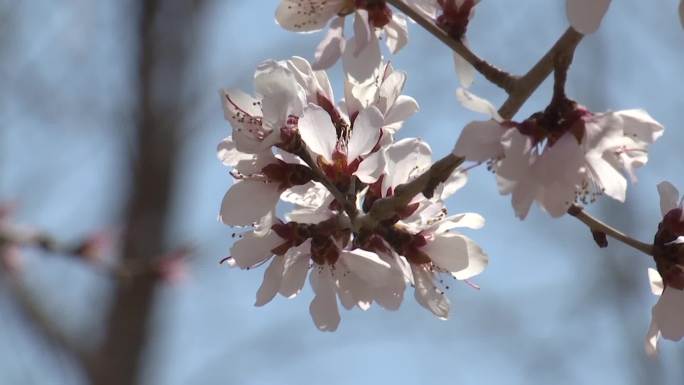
[323,308]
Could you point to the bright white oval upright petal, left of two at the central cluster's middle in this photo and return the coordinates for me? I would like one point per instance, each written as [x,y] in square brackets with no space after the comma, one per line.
[317,131]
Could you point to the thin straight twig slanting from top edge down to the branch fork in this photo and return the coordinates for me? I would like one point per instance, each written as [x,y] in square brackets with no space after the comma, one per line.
[495,75]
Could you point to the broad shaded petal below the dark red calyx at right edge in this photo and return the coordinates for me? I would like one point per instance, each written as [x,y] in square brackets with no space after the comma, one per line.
[668,313]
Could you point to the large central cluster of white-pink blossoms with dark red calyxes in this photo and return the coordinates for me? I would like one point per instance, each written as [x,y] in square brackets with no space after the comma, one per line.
[331,163]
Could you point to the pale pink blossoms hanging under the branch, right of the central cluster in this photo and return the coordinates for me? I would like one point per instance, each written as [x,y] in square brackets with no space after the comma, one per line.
[559,156]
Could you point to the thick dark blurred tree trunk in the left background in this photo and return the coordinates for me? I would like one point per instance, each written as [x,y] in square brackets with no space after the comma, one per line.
[164,28]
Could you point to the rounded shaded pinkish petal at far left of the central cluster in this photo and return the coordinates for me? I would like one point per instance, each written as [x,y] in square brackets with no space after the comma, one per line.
[247,202]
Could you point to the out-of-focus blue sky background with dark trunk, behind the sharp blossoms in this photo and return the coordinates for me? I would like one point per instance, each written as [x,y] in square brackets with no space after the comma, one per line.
[109,120]
